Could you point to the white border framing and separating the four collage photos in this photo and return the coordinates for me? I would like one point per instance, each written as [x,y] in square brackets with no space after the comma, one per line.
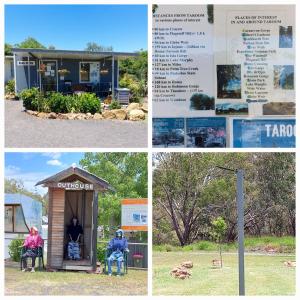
[150,150]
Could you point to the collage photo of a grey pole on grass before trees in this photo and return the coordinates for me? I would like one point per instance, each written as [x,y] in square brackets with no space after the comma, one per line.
[224,223]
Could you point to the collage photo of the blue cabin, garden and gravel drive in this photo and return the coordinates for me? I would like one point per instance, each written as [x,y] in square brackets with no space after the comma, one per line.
[86,87]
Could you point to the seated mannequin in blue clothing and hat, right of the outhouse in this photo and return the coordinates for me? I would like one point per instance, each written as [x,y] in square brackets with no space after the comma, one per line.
[117,245]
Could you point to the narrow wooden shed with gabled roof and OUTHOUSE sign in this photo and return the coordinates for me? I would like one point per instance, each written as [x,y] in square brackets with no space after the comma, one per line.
[73,192]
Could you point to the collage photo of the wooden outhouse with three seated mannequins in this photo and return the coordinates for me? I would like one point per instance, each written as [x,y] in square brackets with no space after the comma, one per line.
[80,218]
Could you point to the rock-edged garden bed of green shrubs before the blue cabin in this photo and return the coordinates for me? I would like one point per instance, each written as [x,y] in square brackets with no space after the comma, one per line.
[85,106]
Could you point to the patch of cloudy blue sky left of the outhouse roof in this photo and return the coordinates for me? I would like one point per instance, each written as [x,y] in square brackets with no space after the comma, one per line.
[31,167]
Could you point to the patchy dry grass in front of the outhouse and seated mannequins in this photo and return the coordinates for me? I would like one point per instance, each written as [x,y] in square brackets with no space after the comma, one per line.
[73,283]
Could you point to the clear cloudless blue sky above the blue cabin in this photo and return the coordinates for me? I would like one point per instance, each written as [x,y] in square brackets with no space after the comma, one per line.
[71,27]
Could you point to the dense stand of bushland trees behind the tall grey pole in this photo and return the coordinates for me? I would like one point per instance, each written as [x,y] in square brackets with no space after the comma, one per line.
[189,192]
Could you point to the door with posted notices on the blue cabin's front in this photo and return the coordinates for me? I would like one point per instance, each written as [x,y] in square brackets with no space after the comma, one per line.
[48,75]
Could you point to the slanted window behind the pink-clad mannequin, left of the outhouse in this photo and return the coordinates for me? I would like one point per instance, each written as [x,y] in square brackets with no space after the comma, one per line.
[14,219]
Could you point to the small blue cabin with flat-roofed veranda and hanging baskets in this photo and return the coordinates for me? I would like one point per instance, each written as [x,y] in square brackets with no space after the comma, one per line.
[68,71]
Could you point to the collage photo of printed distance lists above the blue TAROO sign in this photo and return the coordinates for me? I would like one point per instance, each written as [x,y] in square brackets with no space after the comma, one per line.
[232,61]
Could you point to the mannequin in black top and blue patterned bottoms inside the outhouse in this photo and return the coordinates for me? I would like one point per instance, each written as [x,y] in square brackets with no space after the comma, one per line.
[74,232]
